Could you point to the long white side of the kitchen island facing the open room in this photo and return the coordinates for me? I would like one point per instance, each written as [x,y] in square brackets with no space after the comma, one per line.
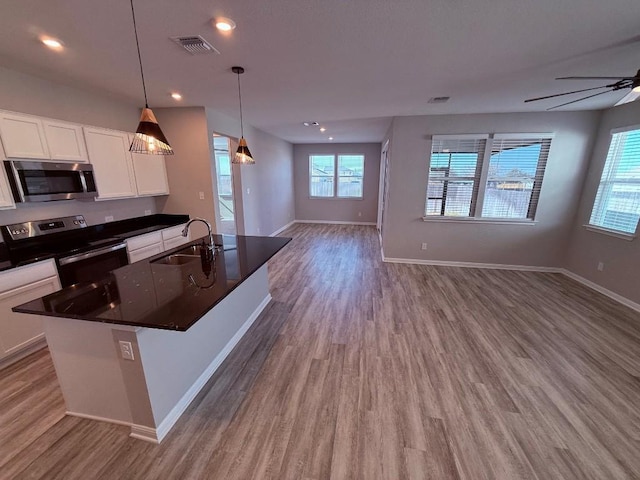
[178,364]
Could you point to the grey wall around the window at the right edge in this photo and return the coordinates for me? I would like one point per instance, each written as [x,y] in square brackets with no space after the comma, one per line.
[621,258]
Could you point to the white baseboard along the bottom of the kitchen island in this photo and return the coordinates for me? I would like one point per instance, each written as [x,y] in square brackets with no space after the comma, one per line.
[157,434]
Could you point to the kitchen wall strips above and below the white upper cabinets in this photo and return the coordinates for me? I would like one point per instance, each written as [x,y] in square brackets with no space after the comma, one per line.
[28,94]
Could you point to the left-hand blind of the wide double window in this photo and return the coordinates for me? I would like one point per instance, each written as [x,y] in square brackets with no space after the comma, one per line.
[454,174]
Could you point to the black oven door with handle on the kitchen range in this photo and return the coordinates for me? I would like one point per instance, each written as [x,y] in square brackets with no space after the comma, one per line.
[93,265]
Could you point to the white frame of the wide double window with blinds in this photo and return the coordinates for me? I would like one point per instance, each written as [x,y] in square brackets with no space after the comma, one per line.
[475,215]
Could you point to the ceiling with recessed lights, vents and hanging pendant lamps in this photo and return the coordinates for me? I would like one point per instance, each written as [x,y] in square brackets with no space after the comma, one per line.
[349,64]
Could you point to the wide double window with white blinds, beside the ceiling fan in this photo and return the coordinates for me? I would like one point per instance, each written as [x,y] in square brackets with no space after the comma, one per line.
[482,176]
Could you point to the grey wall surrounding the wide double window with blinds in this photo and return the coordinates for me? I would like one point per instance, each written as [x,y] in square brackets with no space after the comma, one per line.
[541,244]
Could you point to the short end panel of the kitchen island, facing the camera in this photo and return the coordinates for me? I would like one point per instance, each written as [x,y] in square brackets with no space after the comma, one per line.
[88,369]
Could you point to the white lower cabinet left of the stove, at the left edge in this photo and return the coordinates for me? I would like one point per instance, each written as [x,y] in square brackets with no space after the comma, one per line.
[21,333]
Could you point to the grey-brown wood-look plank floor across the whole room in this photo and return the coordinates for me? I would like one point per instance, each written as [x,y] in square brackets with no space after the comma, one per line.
[365,370]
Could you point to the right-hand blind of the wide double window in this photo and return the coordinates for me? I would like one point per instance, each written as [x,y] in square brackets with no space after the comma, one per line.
[515,174]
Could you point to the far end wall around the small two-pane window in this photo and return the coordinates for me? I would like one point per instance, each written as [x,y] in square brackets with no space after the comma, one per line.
[337,209]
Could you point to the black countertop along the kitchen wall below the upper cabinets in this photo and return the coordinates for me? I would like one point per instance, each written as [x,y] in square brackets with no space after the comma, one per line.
[122,229]
